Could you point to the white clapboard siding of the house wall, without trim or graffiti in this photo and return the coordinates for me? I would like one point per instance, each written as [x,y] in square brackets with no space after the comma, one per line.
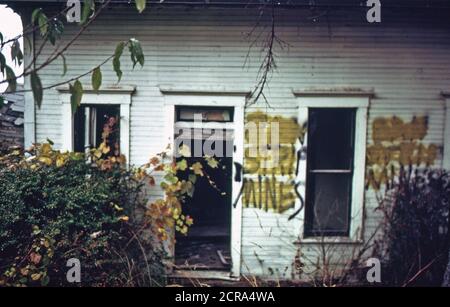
[405,60]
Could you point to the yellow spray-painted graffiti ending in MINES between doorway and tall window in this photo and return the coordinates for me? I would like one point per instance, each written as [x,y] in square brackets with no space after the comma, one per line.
[265,189]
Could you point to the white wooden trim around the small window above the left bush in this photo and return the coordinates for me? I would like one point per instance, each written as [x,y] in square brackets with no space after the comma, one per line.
[106,96]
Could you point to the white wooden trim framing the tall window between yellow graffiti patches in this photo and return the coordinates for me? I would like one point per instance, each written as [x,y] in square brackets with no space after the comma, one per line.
[360,101]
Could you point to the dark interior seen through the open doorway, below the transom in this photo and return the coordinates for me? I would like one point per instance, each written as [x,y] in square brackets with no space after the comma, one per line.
[207,245]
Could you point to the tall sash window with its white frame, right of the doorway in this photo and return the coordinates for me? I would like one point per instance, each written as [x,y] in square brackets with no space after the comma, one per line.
[332,175]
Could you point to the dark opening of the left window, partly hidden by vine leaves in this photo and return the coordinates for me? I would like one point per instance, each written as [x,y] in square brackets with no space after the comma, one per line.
[90,123]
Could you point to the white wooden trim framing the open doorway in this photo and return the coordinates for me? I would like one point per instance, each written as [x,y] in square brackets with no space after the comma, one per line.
[236,99]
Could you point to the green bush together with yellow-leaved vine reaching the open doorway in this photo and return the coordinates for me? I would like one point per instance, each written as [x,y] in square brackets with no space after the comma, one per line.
[55,206]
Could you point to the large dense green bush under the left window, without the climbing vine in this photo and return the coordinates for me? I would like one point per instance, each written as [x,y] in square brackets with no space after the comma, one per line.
[59,207]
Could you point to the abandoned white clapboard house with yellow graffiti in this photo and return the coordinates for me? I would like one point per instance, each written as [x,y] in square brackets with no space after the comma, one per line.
[363,96]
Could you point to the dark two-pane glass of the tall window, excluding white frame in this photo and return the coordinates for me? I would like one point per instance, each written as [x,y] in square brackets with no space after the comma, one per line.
[329,171]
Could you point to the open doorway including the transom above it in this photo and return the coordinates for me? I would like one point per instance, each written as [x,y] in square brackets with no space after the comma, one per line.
[208,243]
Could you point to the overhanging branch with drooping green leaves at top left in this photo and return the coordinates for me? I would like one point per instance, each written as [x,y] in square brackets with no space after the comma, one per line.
[51,30]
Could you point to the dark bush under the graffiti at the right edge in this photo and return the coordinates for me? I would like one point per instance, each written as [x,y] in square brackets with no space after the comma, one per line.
[417,228]
